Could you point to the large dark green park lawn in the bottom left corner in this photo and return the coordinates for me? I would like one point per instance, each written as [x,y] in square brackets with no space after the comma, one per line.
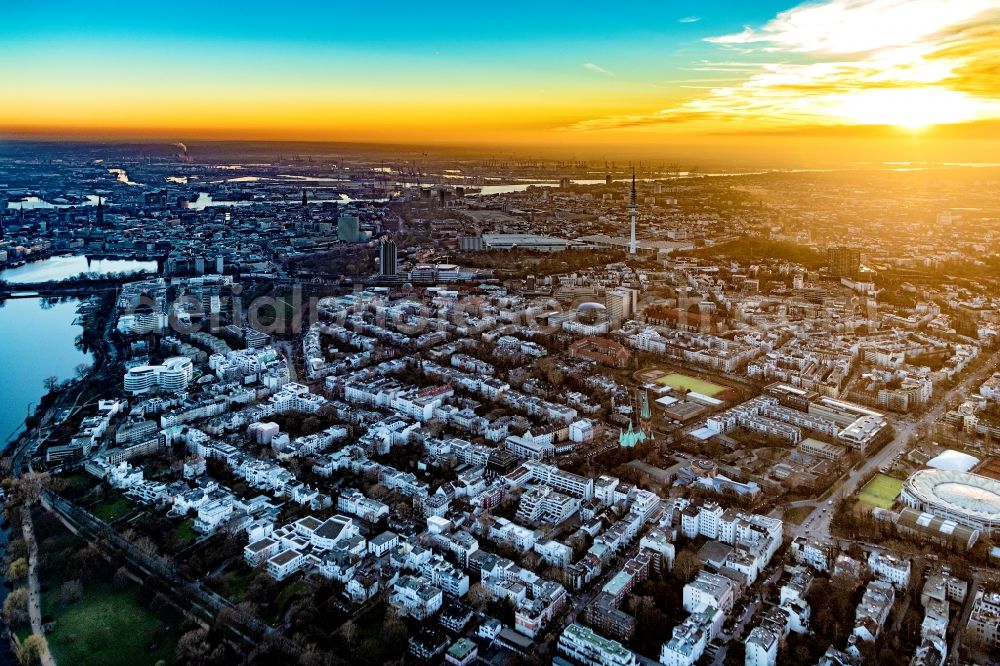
[108,628]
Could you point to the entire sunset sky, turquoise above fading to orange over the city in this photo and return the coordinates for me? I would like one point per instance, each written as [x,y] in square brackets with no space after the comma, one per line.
[893,77]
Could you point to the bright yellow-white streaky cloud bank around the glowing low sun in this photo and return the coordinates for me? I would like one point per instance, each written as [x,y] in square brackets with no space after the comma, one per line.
[846,62]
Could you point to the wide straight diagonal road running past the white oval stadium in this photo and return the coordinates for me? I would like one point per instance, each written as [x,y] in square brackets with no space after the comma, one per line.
[817,524]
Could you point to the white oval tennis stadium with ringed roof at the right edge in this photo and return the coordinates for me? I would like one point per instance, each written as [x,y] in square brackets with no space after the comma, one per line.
[968,499]
